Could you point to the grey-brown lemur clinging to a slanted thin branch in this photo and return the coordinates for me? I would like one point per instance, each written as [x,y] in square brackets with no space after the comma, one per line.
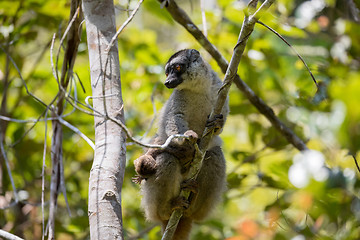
[162,172]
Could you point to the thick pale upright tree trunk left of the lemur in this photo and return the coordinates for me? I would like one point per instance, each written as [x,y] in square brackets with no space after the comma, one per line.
[107,173]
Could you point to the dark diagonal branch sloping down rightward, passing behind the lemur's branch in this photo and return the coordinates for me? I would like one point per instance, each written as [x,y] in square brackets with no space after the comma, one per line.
[183,19]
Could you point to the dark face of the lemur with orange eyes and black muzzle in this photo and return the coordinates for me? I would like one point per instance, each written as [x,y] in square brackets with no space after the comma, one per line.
[179,68]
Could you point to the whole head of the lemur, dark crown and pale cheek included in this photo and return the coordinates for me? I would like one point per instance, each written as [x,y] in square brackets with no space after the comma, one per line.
[186,69]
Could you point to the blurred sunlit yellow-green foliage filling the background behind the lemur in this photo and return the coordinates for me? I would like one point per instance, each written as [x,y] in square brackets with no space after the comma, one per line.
[263,200]
